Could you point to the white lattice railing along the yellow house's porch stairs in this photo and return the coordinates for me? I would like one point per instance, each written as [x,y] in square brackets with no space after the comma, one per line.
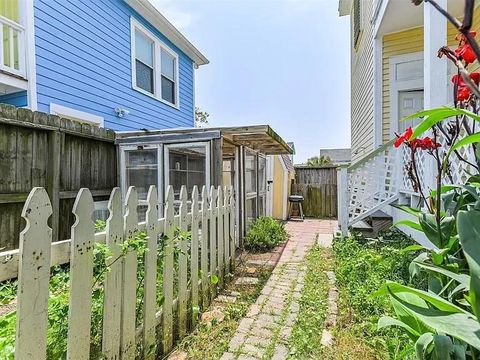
[381,177]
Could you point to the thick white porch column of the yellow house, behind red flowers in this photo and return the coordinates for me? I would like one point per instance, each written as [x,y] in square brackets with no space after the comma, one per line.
[435,70]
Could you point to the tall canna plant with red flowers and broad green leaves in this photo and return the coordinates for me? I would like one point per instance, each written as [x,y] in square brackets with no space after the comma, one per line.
[443,322]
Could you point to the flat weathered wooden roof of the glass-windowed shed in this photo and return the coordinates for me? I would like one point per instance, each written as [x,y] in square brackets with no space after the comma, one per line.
[260,138]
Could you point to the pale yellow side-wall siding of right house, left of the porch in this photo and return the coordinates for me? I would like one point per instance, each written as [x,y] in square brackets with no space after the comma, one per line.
[362,86]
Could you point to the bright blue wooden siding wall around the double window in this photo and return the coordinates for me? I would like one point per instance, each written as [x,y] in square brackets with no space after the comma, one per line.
[84,62]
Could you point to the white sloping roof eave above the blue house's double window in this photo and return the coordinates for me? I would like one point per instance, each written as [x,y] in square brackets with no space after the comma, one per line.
[160,22]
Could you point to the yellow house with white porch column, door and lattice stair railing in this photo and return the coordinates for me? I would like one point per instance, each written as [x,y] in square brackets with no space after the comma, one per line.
[395,72]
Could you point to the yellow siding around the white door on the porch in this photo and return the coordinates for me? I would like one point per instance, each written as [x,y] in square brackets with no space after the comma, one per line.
[404,42]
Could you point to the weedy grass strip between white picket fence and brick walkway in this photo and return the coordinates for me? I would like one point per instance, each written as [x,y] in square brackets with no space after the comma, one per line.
[211,341]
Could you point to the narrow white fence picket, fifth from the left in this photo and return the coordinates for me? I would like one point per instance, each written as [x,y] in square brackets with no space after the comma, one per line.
[150,280]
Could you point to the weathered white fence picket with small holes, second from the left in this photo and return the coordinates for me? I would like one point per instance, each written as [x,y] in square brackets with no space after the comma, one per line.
[81,277]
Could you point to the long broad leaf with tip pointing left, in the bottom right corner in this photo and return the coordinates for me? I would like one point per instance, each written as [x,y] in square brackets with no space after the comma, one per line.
[458,325]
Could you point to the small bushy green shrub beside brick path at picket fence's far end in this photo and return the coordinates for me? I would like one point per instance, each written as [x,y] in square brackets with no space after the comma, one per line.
[264,234]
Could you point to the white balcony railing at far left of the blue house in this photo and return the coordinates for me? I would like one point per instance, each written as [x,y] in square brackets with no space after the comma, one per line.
[12,52]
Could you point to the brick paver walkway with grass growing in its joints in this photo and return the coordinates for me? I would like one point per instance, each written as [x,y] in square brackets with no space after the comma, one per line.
[263,333]
